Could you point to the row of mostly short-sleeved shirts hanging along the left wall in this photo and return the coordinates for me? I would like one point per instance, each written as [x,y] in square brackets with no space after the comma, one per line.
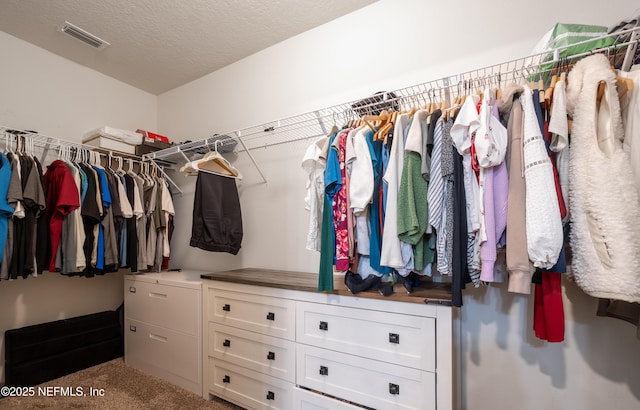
[75,217]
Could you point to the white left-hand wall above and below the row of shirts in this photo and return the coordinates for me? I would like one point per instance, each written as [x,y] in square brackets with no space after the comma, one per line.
[40,91]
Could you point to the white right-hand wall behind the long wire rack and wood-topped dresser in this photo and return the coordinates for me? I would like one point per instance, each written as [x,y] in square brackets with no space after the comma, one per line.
[386,46]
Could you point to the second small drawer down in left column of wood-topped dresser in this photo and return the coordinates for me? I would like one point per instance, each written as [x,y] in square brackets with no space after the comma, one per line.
[264,354]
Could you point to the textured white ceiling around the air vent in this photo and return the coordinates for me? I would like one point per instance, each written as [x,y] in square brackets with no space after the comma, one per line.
[157,45]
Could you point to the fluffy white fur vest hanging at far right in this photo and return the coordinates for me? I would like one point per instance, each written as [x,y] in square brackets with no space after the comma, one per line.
[605,209]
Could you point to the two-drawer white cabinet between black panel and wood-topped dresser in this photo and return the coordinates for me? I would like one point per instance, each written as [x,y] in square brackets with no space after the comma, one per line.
[163,326]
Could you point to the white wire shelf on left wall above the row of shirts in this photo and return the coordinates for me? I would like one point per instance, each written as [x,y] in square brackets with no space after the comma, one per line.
[32,142]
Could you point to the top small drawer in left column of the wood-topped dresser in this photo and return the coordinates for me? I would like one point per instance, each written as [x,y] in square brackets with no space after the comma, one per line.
[256,313]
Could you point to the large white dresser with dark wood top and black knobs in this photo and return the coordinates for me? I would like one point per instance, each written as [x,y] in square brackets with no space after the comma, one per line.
[272,342]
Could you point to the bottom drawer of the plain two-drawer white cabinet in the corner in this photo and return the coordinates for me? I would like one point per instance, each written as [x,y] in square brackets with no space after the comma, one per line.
[165,353]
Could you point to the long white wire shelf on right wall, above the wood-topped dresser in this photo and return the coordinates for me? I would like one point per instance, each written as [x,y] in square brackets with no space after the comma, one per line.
[622,51]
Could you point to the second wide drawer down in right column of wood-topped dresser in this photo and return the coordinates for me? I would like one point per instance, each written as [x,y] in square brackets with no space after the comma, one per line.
[365,381]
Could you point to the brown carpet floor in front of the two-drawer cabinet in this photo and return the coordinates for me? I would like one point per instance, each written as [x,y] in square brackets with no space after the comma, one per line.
[124,388]
